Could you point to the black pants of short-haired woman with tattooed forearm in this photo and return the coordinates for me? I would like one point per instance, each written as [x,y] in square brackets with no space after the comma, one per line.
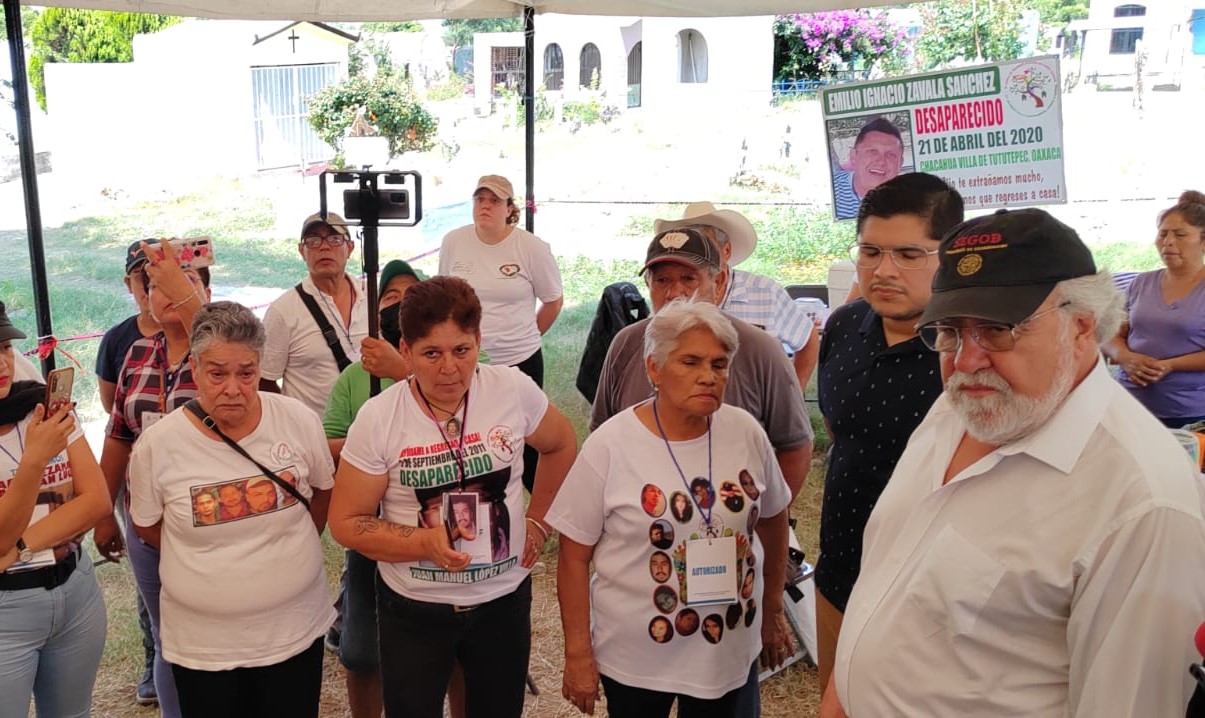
[421,642]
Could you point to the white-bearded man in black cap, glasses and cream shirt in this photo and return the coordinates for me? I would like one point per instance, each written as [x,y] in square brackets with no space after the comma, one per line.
[1038,550]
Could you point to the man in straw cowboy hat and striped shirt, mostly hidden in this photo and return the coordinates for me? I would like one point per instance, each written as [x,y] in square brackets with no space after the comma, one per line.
[755,299]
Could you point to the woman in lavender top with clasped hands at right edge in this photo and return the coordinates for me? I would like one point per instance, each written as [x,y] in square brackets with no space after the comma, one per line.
[1162,346]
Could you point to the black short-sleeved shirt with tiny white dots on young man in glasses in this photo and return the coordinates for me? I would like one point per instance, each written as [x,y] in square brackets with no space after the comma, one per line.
[873,398]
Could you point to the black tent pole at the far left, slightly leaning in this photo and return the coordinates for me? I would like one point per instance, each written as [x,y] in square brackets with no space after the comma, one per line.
[30,174]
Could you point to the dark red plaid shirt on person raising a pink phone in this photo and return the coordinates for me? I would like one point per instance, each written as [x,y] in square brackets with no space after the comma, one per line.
[145,384]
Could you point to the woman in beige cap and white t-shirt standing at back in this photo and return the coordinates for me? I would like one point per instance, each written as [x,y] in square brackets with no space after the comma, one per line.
[516,279]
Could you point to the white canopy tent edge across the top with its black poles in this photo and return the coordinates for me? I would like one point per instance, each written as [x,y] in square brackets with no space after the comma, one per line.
[350,11]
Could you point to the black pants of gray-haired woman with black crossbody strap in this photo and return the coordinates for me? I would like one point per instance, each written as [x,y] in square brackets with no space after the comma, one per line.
[289,690]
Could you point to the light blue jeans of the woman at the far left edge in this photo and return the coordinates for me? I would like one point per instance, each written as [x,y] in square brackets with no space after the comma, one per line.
[51,643]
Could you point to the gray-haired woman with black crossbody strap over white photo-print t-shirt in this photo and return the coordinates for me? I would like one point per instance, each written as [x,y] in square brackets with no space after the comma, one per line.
[244,603]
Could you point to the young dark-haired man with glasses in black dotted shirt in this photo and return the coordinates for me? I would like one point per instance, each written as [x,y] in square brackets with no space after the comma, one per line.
[877,379]
